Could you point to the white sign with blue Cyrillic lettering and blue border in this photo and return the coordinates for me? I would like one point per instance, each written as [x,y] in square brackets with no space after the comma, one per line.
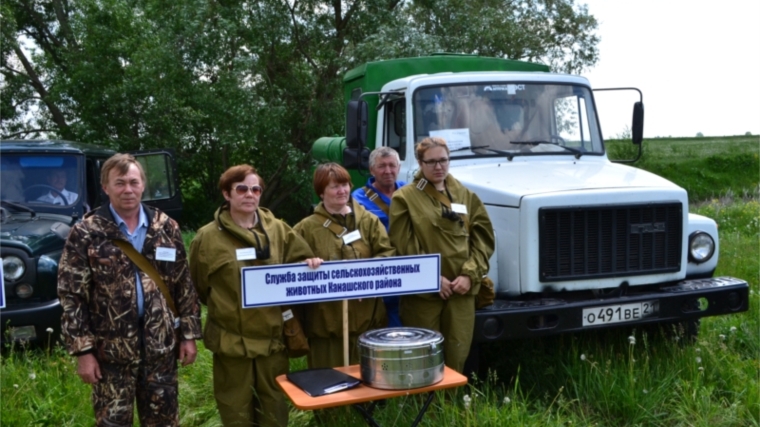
[286,284]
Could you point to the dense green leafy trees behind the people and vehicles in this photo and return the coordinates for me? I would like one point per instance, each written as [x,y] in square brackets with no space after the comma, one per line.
[236,81]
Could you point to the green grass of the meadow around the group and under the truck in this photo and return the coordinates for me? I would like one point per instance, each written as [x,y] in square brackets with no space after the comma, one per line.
[584,379]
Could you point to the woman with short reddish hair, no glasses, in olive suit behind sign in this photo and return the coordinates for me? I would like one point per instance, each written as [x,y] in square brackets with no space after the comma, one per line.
[341,229]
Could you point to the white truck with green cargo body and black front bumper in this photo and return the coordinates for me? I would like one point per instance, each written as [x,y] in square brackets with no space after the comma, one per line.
[581,242]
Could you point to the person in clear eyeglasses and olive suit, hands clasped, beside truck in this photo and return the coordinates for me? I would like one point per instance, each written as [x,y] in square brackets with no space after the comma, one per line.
[437,214]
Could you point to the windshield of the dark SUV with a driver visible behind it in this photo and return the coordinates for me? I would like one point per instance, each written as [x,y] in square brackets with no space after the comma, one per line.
[40,181]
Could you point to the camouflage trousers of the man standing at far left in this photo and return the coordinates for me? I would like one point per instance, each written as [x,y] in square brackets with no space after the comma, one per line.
[154,385]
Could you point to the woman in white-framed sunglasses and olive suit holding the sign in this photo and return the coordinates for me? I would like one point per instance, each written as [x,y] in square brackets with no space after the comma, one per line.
[247,343]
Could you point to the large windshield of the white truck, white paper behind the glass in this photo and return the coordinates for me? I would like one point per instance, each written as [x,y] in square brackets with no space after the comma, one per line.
[517,119]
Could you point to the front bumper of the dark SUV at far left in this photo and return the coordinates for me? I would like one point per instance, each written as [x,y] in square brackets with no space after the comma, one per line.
[30,322]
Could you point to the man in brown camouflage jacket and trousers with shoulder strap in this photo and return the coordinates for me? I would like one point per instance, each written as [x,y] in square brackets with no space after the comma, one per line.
[127,346]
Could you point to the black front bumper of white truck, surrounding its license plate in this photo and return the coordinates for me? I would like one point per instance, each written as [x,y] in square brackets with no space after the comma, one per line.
[685,300]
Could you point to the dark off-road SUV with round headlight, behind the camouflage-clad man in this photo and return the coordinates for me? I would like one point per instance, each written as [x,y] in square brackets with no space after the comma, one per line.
[45,188]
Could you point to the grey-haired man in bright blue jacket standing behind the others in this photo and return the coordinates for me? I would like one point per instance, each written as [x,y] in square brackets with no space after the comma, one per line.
[384,166]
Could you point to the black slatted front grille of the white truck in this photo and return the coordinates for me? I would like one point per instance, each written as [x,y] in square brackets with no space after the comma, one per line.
[609,241]
